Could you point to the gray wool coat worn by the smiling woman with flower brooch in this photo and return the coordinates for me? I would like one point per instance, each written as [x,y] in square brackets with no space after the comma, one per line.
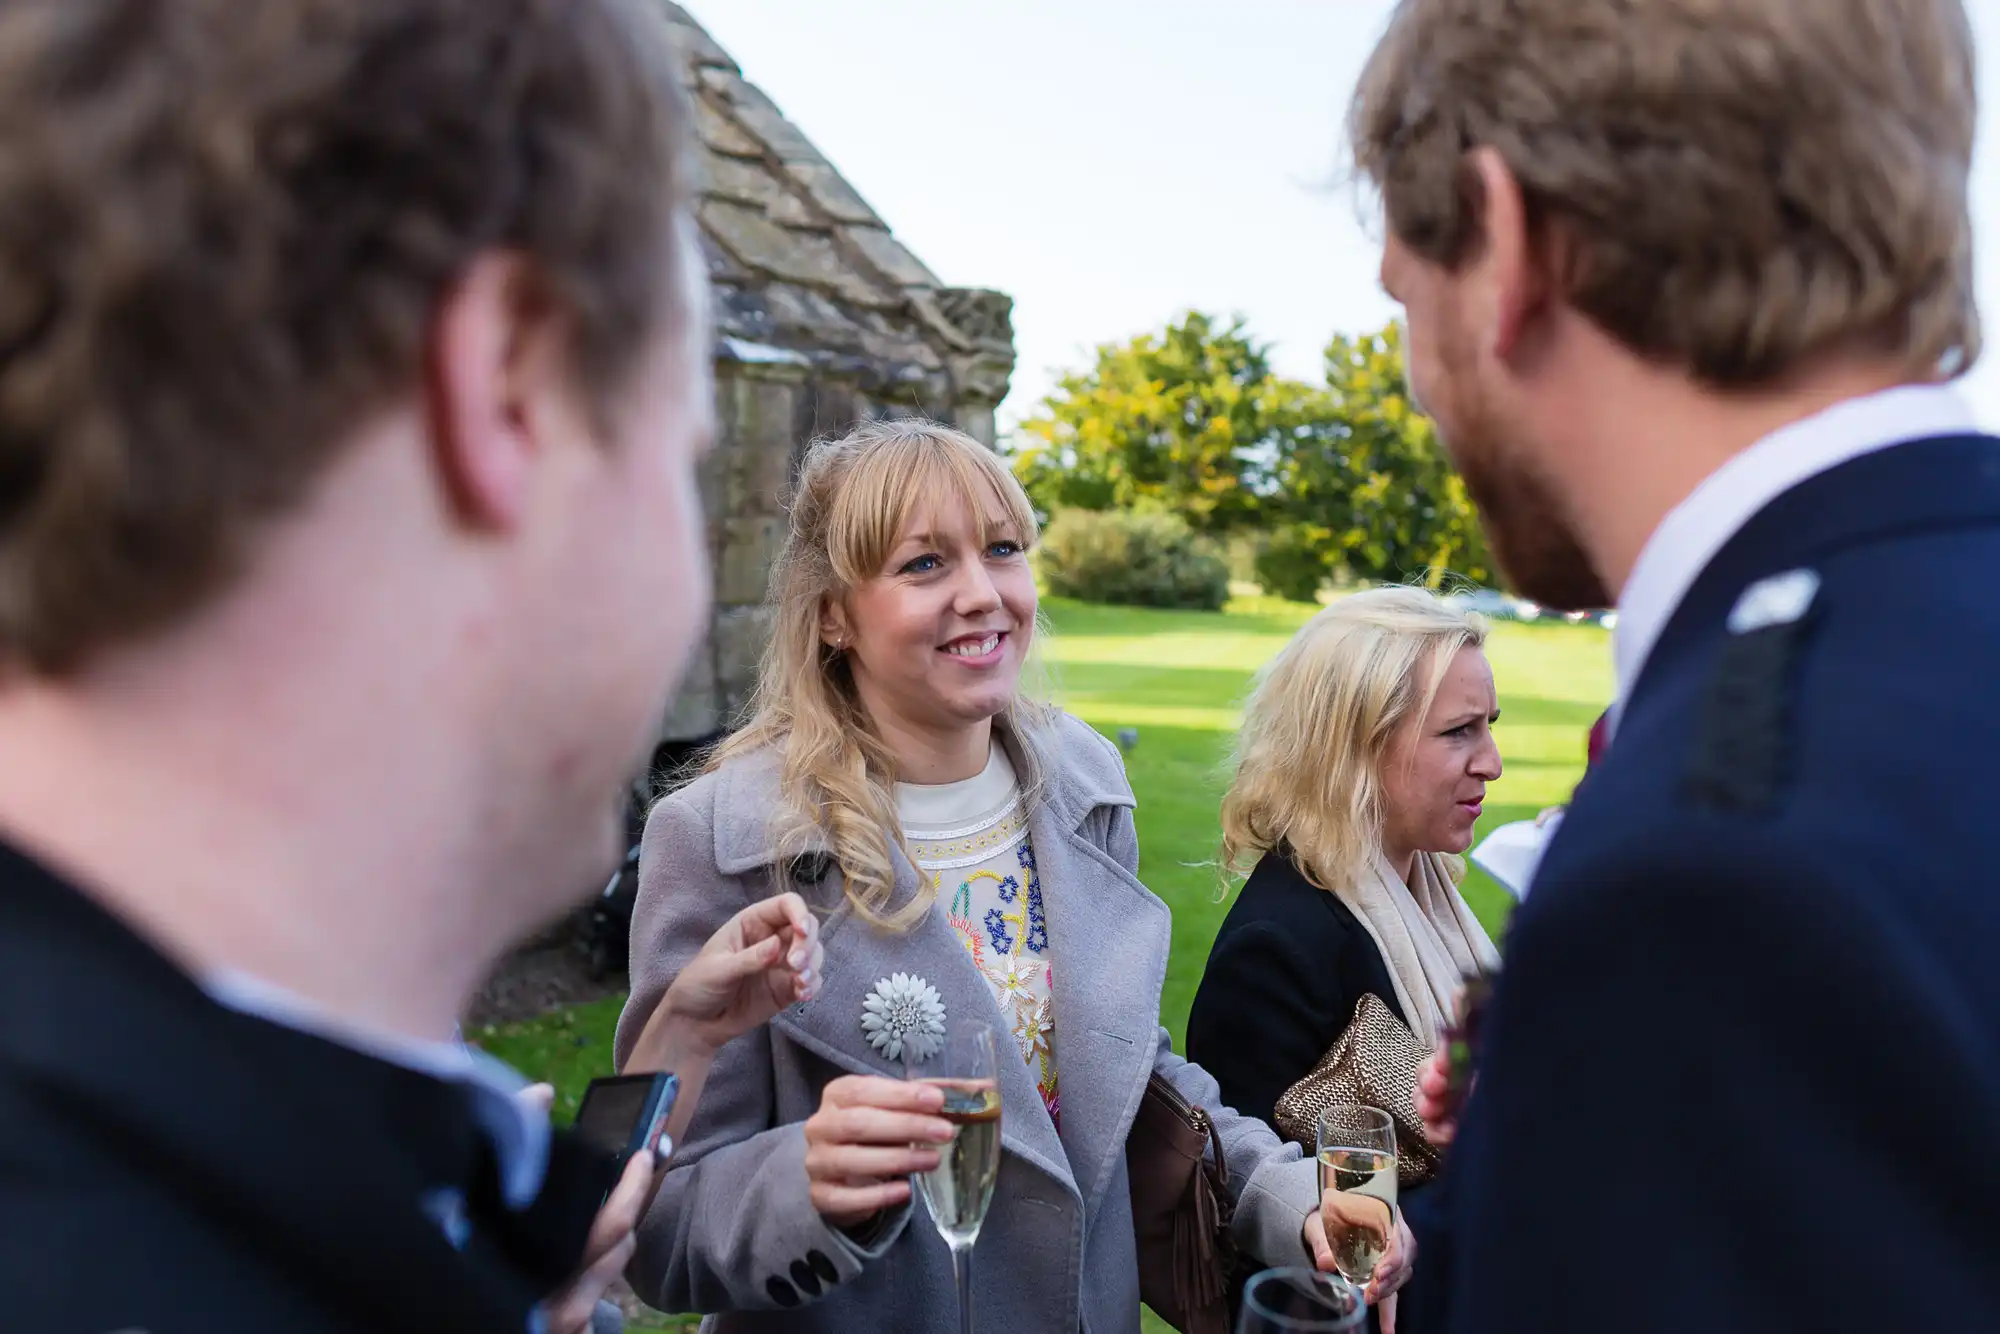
[733,1229]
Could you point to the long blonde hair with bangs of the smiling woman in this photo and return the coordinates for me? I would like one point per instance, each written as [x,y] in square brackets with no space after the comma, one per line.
[853,505]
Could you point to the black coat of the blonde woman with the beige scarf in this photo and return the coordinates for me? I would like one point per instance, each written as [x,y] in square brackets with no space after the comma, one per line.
[1285,975]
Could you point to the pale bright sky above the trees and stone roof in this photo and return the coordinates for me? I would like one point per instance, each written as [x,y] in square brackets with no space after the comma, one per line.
[1113,163]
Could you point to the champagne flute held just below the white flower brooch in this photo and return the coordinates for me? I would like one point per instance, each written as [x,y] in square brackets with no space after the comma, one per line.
[961,1187]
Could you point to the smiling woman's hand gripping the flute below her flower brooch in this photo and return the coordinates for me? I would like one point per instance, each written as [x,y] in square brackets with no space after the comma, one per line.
[865,1143]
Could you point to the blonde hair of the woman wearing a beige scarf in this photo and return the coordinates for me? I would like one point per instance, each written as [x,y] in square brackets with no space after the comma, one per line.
[1319,727]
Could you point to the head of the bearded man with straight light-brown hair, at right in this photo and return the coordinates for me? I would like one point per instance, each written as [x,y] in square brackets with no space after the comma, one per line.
[1735,191]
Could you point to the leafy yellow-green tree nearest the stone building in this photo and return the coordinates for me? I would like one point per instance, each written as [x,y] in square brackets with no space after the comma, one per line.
[1177,421]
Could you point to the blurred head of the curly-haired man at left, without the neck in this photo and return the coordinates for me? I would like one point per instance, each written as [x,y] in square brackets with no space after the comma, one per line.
[381,311]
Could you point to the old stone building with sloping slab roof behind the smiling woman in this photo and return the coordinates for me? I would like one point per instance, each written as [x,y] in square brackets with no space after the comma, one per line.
[823,319]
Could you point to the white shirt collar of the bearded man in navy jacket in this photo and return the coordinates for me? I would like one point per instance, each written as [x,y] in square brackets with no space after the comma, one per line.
[1699,527]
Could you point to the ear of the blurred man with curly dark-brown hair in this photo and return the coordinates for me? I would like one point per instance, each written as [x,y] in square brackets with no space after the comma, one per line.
[493,373]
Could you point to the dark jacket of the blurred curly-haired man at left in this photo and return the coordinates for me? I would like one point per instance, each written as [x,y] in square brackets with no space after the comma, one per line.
[175,1167]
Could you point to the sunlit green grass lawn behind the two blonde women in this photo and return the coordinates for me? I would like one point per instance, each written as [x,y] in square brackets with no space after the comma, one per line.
[1181,679]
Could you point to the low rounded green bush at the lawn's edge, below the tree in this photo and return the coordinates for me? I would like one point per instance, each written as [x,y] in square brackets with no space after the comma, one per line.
[1133,559]
